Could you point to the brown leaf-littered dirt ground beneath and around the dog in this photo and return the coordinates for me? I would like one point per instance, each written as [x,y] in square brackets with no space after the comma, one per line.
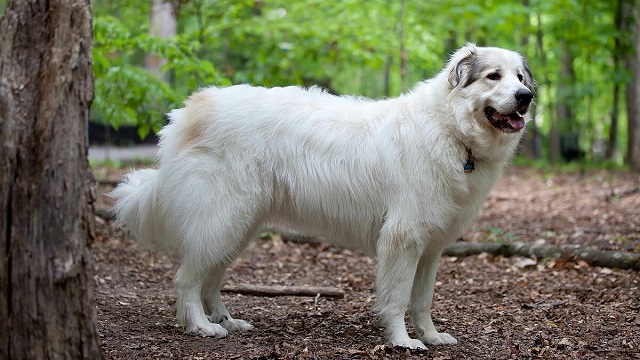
[497,308]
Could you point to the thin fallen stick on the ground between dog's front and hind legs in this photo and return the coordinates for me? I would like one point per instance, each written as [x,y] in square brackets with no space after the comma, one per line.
[259,290]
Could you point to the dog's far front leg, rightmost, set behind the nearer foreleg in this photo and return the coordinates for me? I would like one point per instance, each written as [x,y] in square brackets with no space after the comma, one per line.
[422,300]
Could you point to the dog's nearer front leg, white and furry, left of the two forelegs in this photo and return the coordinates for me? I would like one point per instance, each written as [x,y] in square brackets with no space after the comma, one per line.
[396,268]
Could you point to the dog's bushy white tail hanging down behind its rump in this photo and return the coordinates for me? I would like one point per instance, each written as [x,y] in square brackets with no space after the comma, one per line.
[136,208]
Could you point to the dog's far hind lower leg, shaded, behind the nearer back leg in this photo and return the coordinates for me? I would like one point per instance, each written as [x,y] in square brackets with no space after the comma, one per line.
[213,304]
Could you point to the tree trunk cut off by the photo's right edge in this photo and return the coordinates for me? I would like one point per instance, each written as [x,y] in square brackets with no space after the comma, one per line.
[633,96]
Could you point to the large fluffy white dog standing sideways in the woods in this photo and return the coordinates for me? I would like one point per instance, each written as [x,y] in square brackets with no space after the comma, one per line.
[397,179]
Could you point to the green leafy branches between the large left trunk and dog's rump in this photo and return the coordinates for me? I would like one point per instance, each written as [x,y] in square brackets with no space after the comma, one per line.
[125,92]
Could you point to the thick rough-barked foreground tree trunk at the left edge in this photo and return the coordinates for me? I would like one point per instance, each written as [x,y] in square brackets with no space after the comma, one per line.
[47,303]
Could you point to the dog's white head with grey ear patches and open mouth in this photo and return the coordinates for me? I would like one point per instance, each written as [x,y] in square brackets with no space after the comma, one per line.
[494,84]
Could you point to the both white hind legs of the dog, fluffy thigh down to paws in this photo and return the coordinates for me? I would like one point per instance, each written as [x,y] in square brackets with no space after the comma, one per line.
[220,213]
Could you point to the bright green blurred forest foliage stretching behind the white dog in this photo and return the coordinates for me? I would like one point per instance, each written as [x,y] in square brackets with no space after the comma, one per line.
[353,47]
